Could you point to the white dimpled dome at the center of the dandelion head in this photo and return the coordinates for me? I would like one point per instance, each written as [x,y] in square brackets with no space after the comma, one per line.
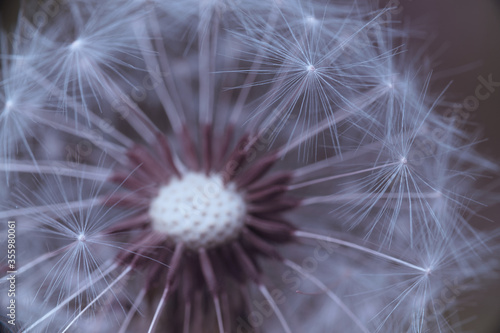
[198,210]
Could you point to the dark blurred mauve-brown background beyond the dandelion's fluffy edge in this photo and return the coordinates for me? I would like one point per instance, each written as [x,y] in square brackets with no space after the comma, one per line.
[464,39]
